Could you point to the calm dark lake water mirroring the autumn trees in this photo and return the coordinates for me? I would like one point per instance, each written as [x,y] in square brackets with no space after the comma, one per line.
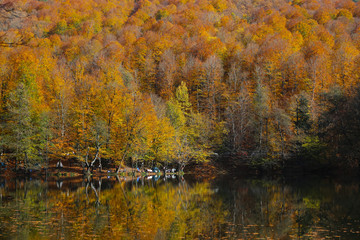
[180,208]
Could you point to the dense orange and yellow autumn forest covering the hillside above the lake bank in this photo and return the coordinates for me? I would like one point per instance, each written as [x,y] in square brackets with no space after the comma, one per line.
[263,83]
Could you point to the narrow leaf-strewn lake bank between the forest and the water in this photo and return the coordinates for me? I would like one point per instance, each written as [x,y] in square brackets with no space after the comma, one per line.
[202,170]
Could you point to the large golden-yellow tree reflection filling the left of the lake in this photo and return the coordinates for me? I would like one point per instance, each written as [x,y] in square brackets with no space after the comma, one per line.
[139,208]
